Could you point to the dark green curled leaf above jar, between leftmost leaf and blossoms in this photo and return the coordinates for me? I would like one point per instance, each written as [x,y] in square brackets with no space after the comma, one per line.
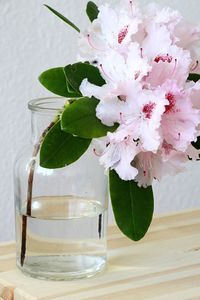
[77,72]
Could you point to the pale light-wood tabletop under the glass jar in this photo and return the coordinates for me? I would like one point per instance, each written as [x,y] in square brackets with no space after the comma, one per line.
[163,266]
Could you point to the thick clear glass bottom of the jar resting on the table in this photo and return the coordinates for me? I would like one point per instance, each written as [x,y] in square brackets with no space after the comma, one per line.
[63,268]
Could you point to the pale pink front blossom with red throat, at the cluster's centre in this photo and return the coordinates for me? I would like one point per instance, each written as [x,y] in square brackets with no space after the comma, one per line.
[143,115]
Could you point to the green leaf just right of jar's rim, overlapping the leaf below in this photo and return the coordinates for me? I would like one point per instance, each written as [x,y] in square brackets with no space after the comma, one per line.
[80,119]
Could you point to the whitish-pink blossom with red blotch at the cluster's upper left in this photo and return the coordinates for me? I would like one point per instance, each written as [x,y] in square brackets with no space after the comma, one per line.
[112,30]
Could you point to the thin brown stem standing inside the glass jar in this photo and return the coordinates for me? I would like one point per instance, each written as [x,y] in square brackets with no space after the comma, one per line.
[30,192]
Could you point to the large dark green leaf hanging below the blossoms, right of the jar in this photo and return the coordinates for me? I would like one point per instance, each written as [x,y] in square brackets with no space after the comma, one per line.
[133,206]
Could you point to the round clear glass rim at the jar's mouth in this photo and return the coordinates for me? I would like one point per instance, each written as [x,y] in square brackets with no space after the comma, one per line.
[47,104]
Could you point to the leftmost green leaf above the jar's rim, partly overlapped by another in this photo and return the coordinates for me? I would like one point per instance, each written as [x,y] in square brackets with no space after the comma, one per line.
[55,81]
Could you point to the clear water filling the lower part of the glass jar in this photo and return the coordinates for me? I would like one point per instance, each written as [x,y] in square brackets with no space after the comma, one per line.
[65,238]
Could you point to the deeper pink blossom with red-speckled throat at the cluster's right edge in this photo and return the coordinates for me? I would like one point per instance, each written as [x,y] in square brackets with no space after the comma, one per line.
[180,120]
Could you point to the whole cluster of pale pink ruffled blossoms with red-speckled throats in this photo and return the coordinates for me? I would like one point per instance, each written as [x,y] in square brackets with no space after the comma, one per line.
[145,59]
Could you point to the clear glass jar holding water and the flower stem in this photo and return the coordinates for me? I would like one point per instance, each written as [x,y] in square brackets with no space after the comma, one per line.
[61,214]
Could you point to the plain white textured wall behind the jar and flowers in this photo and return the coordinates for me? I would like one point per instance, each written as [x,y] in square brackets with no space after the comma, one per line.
[33,40]
